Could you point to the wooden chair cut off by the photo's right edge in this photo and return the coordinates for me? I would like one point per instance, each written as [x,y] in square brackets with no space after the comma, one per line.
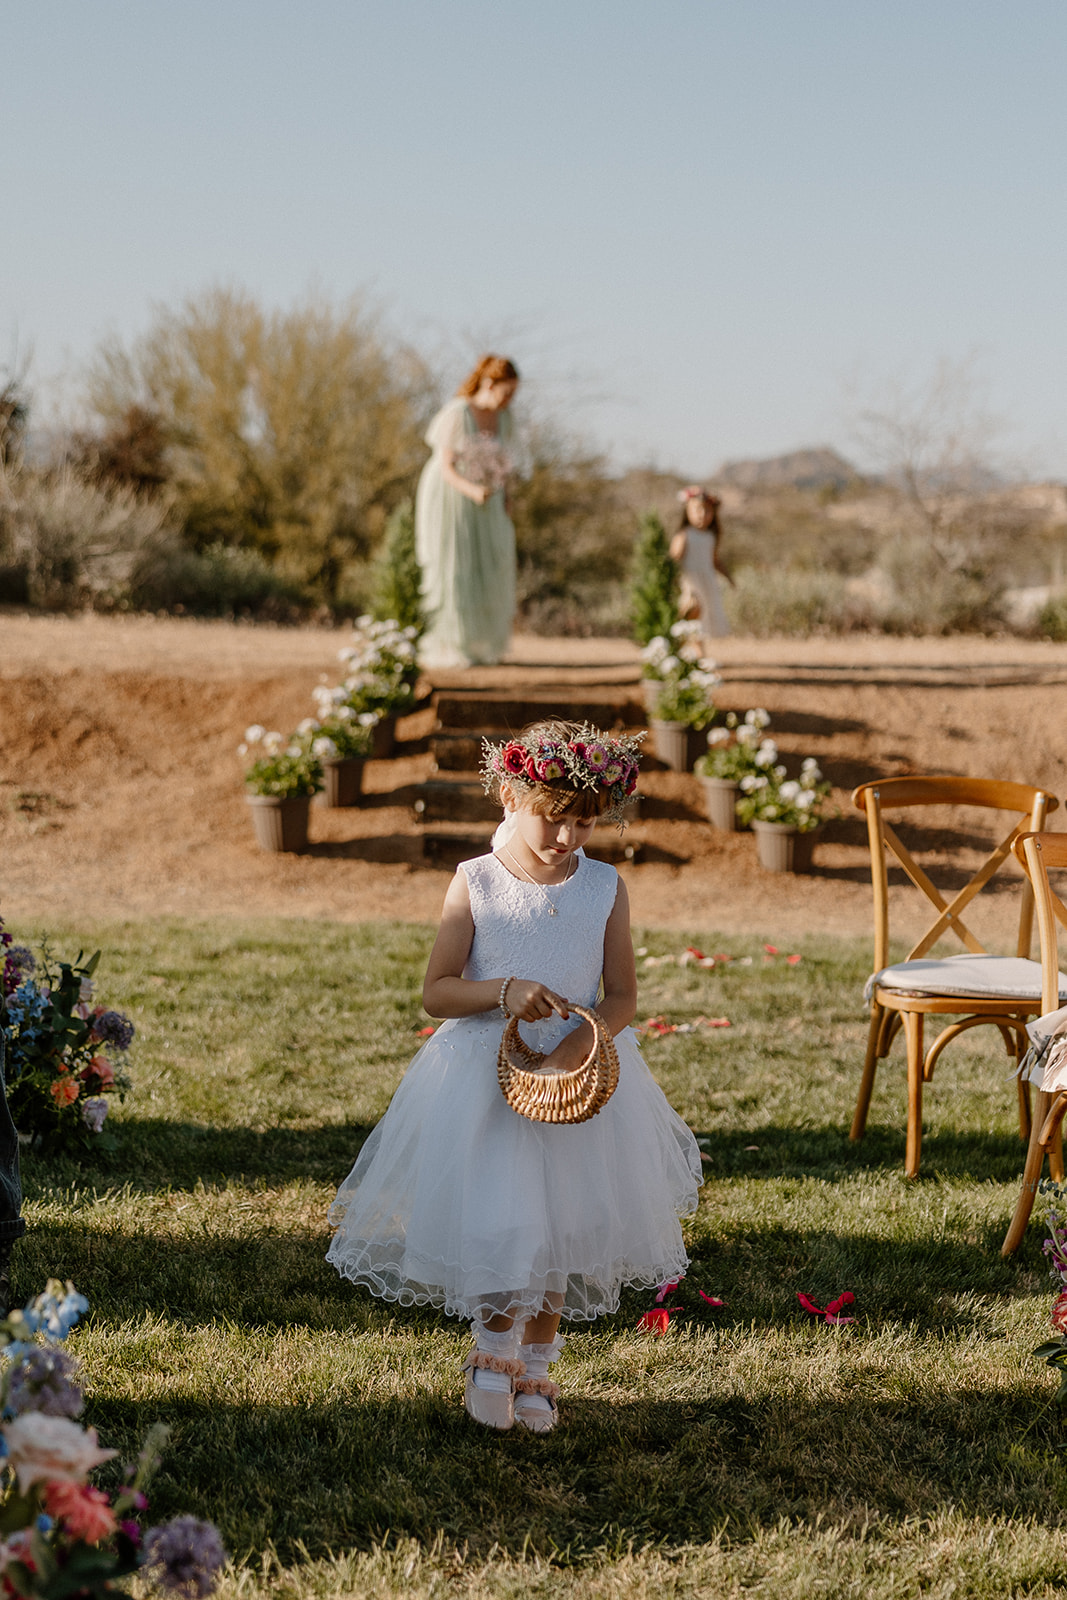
[1041,855]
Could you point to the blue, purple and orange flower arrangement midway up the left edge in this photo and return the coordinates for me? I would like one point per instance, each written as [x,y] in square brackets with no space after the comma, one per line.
[63,1054]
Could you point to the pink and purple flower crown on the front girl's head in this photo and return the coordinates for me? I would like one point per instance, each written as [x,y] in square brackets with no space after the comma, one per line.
[589,761]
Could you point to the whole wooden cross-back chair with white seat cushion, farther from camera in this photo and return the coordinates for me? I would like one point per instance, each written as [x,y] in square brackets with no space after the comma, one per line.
[975,988]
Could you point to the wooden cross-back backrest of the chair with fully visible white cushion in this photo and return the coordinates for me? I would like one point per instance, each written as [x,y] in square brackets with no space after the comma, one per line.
[1029,806]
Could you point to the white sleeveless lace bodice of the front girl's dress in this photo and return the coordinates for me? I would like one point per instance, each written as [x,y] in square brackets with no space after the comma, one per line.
[516,934]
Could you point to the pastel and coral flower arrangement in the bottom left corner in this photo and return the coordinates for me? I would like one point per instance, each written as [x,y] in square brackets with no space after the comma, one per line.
[60,1535]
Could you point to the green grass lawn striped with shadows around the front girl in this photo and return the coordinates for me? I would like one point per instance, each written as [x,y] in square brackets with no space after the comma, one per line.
[749,1452]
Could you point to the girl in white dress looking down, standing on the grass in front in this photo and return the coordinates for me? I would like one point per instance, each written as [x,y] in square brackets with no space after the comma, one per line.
[460,1202]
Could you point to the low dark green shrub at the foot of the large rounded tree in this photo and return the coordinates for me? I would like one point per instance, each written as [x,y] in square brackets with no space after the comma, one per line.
[217,582]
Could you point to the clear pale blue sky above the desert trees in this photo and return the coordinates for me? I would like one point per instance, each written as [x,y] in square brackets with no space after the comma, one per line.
[689,222]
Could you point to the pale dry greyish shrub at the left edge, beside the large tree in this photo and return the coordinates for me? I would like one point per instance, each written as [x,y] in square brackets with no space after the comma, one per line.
[68,543]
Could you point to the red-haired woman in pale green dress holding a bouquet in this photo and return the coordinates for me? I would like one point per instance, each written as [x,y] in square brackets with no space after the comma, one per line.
[465,538]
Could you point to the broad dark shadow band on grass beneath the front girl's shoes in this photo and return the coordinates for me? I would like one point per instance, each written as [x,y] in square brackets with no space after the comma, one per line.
[346,1473]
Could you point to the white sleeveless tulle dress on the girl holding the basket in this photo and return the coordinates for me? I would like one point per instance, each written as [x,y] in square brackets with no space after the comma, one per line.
[462,1204]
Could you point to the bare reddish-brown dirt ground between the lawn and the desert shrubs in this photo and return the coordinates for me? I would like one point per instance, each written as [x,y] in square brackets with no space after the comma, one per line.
[121,786]
